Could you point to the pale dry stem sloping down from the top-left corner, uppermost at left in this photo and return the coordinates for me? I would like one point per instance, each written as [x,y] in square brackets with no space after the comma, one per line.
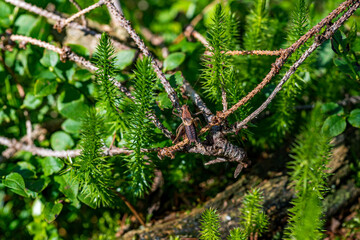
[52,16]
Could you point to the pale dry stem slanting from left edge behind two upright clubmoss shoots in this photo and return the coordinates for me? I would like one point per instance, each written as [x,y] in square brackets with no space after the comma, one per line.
[66,53]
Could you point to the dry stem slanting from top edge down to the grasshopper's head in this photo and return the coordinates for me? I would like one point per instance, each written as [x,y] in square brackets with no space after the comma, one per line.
[126,25]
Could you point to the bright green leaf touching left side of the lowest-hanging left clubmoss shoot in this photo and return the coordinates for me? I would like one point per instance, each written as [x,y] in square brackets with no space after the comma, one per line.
[68,186]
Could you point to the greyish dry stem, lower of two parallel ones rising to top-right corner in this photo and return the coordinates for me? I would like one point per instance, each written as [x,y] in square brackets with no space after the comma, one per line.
[321,39]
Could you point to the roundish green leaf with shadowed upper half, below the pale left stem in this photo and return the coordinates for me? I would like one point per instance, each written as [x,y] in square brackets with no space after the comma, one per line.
[71,104]
